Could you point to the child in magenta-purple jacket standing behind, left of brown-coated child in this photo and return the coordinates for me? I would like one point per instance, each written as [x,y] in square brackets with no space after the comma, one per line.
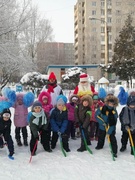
[73,101]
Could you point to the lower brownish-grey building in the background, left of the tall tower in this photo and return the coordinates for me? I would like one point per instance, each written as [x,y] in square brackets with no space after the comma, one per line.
[54,53]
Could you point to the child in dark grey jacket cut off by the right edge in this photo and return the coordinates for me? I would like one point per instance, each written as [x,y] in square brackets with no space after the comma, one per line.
[127,119]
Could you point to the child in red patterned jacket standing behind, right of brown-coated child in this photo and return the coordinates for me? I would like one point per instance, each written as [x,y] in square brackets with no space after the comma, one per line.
[94,127]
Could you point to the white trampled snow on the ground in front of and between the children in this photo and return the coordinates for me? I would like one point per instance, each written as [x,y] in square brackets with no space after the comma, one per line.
[76,166]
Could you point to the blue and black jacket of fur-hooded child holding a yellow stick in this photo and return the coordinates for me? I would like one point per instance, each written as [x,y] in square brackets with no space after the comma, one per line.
[102,116]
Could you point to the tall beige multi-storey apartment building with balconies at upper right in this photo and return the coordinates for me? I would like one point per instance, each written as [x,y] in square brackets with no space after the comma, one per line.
[90,19]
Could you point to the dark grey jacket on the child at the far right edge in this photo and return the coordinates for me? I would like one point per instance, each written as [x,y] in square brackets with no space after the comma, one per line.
[129,116]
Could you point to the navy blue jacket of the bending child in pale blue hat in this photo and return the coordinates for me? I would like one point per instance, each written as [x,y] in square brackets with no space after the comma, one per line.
[59,120]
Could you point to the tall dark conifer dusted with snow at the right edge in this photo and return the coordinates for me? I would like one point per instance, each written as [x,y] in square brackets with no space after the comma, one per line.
[123,61]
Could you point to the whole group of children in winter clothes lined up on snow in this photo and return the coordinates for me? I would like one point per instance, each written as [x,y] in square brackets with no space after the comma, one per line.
[48,122]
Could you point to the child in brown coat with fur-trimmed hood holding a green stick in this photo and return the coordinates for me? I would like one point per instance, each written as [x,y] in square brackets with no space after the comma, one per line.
[83,115]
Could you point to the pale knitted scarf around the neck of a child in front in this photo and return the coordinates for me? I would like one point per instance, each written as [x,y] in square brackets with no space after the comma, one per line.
[37,118]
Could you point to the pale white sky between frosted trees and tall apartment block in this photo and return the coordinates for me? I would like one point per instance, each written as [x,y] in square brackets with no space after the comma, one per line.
[61,15]
